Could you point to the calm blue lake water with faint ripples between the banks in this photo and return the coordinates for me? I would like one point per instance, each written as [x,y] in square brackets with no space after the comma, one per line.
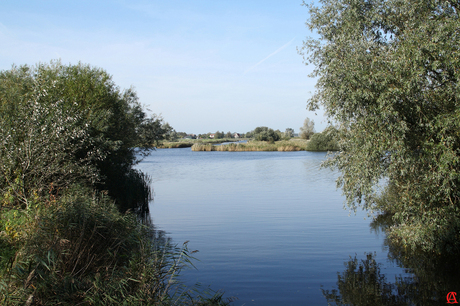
[269,226]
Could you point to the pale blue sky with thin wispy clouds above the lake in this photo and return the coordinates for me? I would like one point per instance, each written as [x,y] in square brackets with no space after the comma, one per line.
[203,65]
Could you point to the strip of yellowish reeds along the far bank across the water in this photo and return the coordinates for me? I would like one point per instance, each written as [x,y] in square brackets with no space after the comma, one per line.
[282,146]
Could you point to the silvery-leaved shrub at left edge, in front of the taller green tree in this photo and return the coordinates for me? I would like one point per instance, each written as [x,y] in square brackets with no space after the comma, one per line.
[43,143]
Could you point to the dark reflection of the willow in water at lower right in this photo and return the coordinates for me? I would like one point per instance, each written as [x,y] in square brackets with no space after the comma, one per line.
[431,278]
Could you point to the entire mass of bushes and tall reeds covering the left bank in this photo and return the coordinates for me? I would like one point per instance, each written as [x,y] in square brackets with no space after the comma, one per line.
[67,151]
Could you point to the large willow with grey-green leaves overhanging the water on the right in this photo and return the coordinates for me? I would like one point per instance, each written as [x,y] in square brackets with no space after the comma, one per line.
[389,74]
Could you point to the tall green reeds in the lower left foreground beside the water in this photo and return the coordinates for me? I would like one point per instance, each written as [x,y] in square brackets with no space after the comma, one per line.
[81,251]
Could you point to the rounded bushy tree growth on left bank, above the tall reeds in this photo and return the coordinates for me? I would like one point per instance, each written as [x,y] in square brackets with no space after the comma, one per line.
[76,126]
